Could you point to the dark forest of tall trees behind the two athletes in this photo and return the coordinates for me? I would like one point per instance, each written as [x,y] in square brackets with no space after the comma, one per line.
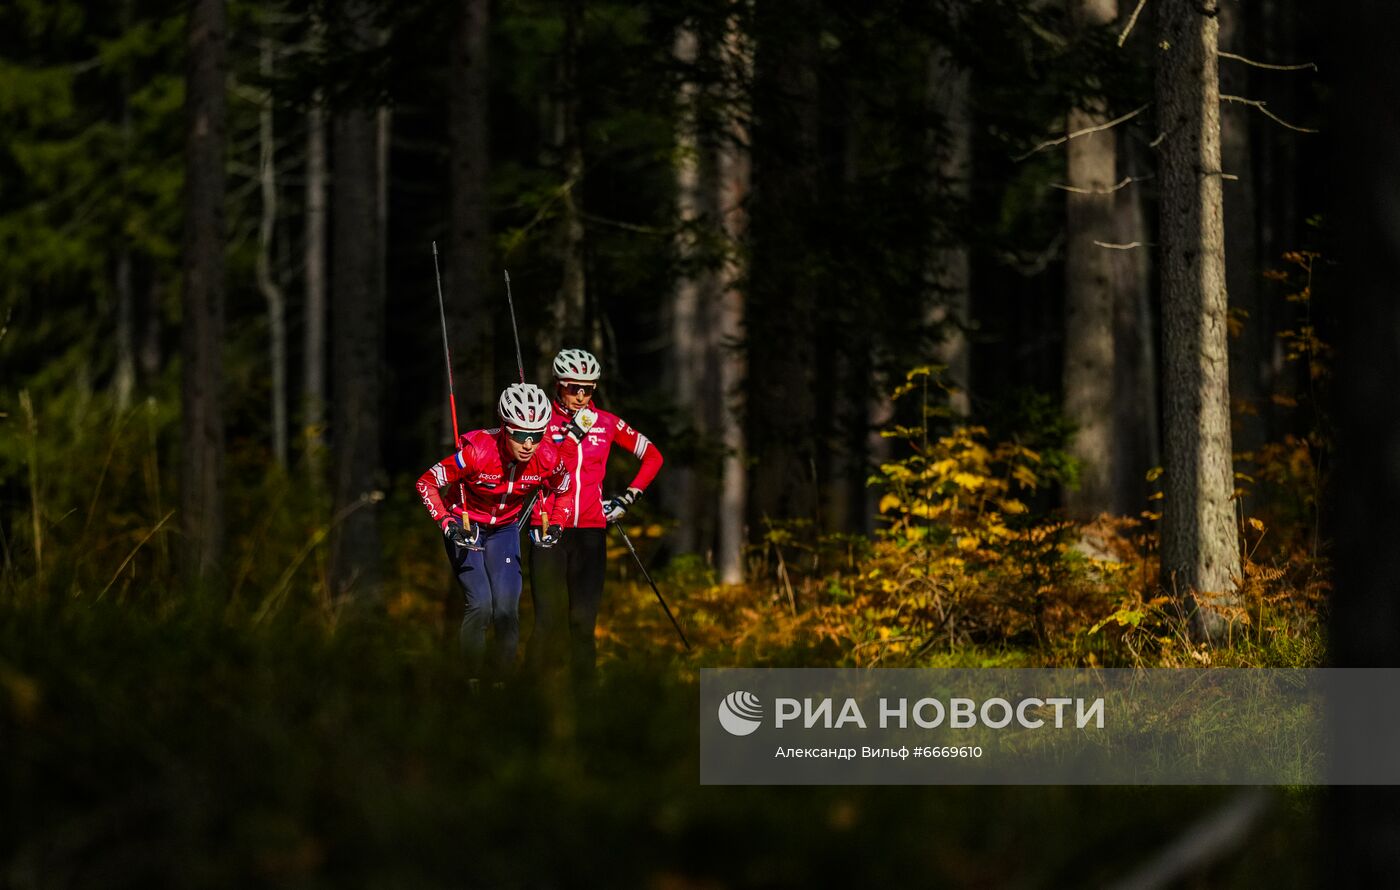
[863,181]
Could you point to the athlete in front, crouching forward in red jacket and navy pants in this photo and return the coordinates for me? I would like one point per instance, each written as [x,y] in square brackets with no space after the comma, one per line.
[491,481]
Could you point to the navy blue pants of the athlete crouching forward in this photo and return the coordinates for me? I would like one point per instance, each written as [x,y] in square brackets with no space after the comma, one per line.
[492,581]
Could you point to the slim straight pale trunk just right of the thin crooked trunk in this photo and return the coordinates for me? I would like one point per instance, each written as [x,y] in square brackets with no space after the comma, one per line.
[314,342]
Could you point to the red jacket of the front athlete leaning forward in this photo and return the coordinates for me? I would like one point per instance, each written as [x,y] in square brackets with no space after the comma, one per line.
[495,486]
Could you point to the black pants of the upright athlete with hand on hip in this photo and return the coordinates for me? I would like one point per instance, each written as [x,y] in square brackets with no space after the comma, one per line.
[568,580]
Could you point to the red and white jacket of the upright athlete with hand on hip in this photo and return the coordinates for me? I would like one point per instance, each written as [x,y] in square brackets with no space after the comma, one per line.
[586,458]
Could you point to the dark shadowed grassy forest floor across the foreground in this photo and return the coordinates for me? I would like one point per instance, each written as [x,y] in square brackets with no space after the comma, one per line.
[171,742]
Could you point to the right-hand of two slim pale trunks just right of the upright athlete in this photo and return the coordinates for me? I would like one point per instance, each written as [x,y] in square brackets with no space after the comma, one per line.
[734,176]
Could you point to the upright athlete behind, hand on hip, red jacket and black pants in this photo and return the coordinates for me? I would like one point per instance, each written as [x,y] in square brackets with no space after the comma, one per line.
[584,436]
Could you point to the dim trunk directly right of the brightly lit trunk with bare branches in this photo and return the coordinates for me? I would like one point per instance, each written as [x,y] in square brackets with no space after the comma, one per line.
[1251,346]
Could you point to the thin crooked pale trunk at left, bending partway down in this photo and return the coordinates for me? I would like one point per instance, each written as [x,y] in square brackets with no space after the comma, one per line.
[267,278]
